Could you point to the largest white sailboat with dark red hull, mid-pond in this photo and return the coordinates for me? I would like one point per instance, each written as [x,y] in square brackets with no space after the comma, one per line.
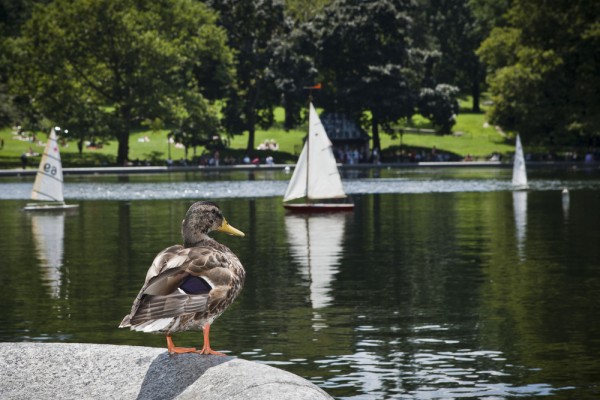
[316,176]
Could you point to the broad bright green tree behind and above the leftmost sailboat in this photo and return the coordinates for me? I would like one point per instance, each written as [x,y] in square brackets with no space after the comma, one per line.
[117,62]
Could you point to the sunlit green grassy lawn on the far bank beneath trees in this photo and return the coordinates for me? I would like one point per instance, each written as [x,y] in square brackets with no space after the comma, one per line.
[471,137]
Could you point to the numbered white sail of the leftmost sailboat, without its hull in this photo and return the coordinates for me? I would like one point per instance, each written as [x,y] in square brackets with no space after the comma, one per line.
[48,183]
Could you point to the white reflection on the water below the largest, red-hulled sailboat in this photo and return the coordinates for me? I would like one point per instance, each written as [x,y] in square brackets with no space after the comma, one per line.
[316,243]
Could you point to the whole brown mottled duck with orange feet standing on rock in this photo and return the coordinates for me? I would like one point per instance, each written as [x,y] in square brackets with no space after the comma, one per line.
[188,287]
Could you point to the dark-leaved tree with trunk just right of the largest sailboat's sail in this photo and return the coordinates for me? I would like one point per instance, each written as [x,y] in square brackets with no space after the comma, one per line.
[365,58]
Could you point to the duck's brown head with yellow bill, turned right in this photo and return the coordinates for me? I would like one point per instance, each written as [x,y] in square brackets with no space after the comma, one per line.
[201,218]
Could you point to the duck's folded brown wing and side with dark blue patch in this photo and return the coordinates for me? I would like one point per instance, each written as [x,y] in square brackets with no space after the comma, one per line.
[183,281]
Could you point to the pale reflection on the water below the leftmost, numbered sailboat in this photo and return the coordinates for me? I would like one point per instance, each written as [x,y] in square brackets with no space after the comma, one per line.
[48,238]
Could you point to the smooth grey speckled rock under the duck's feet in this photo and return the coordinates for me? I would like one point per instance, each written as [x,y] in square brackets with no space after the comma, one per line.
[93,371]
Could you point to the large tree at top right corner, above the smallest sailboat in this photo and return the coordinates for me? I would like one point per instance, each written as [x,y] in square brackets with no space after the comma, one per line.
[543,71]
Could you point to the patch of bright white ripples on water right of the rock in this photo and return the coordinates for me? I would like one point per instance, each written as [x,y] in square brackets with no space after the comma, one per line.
[420,367]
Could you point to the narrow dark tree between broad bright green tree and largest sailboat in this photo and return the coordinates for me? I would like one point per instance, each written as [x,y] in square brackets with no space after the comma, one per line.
[250,25]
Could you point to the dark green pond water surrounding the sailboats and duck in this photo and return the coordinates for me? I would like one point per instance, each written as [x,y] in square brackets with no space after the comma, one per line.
[440,284]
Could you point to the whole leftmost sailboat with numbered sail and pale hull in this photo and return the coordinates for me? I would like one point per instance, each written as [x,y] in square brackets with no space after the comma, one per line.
[48,185]
